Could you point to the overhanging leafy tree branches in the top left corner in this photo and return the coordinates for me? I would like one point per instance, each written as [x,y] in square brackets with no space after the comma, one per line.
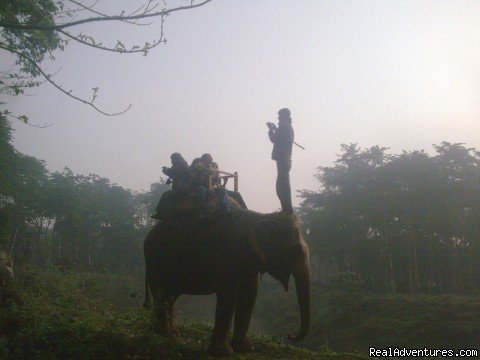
[31,31]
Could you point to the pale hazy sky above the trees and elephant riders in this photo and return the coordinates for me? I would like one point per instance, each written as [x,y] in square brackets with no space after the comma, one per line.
[402,74]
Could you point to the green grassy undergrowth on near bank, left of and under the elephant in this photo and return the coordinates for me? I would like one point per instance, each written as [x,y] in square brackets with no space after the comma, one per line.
[64,316]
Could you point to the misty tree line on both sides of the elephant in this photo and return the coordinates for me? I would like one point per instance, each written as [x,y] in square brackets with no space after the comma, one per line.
[393,223]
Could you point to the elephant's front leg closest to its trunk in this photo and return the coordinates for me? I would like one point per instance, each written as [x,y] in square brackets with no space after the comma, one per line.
[247,294]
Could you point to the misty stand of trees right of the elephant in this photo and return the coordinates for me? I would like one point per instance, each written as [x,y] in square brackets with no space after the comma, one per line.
[397,223]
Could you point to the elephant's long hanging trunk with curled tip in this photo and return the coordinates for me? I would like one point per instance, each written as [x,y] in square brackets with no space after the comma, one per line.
[302,284]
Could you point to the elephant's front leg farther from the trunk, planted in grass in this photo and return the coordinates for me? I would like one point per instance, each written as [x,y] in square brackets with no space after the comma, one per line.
[223,322]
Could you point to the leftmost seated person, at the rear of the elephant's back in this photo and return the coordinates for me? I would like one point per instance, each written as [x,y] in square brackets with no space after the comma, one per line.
[179,176]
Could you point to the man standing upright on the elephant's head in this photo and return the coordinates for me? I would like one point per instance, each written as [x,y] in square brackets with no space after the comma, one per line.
[282,138]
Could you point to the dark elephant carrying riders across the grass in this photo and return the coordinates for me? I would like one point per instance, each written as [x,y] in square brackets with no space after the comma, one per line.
[225,256]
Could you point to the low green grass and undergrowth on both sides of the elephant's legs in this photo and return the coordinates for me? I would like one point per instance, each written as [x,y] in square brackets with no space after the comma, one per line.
[64,312]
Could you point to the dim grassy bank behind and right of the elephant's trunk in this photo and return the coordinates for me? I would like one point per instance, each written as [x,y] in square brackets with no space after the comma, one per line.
[348,320]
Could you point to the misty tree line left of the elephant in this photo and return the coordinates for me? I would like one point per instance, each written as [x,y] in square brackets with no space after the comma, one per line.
[62,218]
